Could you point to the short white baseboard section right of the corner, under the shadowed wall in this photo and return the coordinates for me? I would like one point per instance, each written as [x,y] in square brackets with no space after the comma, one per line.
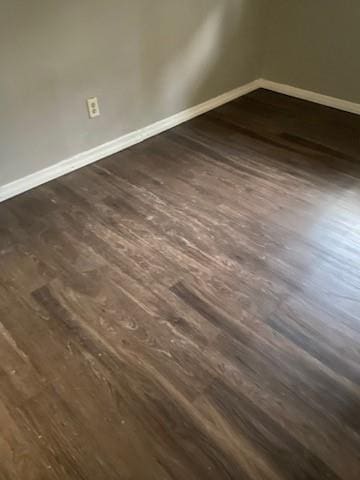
[314,97]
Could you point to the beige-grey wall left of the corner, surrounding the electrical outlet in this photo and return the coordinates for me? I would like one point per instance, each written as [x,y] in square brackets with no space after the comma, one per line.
[144,59]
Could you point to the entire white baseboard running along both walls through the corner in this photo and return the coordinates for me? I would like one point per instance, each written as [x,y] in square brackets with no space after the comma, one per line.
[85,158]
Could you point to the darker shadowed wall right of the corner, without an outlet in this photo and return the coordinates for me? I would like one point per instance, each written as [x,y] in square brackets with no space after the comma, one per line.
[314,44]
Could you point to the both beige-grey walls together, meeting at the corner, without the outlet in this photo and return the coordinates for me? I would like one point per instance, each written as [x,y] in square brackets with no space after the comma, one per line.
[149,59]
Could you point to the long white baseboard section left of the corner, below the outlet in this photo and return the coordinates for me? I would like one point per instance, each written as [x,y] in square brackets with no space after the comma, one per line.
[90,156]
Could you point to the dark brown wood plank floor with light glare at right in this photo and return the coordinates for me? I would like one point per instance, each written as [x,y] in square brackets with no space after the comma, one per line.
[189,308]
